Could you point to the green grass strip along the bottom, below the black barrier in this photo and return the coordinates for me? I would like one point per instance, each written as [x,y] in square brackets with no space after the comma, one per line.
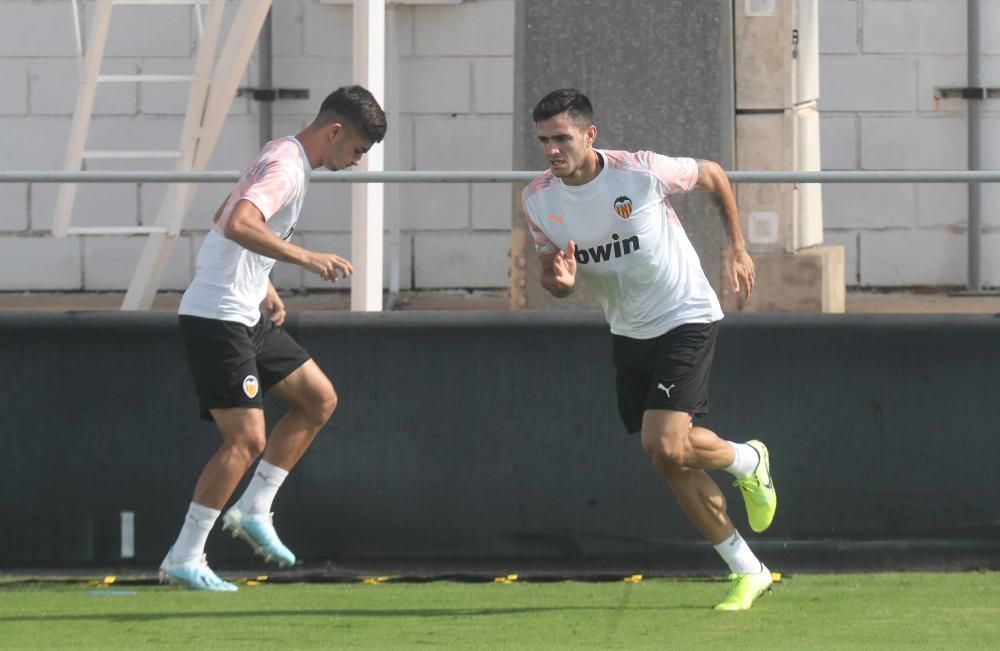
[919,610]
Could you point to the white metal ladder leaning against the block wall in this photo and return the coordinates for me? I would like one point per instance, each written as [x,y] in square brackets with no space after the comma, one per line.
[213,87]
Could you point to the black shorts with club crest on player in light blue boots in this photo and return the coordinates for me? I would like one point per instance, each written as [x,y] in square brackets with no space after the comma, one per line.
[234,365]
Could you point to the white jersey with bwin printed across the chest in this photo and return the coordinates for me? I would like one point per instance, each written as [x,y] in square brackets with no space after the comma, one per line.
[631,248]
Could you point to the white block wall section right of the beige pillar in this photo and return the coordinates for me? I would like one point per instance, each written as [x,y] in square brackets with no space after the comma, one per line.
[880,61]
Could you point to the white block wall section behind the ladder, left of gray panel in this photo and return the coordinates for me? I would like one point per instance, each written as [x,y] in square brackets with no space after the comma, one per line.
[449,92]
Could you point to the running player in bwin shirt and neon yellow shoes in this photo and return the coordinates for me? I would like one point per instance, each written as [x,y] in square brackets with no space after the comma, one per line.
[604,215]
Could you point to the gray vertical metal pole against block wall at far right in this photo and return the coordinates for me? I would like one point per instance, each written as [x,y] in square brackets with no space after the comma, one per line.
[975,190]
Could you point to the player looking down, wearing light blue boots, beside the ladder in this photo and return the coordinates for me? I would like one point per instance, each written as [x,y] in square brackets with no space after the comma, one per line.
[230,320]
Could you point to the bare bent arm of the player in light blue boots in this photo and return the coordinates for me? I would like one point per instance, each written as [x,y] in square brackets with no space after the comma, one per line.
[246,227]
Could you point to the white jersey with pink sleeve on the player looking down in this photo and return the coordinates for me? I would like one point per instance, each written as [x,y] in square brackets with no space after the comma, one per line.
[230,281]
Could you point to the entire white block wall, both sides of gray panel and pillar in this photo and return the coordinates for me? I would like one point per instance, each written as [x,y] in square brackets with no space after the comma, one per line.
[880,61]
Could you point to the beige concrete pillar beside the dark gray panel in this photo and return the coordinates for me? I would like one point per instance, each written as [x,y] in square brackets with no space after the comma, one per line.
[777,125]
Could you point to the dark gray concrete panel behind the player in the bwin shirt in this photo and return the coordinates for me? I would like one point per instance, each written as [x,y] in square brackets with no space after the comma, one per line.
[660,78]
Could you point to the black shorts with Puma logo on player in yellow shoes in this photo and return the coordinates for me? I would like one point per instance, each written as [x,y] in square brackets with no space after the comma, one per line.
[666,372]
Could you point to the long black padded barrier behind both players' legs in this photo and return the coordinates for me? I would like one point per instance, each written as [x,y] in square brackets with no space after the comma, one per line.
[487,437]
